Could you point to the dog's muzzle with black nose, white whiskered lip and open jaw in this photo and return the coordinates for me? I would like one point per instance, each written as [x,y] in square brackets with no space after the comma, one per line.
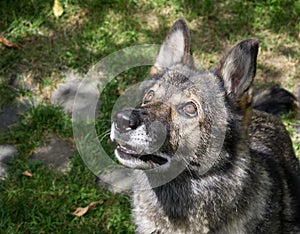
[137,143]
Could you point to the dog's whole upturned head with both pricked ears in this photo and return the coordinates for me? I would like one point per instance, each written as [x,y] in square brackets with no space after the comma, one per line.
[183,111]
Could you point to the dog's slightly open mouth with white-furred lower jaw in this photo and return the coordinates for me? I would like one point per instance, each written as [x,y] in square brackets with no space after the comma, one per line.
[133,157]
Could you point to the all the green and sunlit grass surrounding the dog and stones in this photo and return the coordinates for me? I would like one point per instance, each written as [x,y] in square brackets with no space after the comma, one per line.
[86,32]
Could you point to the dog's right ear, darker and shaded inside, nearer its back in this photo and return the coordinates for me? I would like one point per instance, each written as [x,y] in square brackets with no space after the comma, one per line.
[237,68]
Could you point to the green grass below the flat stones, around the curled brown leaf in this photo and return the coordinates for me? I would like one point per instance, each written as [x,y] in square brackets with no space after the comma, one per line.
[45,202]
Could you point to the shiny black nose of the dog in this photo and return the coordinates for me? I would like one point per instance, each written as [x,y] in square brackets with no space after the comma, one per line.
[128,119]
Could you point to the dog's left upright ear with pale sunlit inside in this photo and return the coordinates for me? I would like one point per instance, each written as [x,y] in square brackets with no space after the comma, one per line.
[175,49]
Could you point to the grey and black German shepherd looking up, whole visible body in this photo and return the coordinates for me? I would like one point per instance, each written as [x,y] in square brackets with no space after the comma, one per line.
[238,172]
